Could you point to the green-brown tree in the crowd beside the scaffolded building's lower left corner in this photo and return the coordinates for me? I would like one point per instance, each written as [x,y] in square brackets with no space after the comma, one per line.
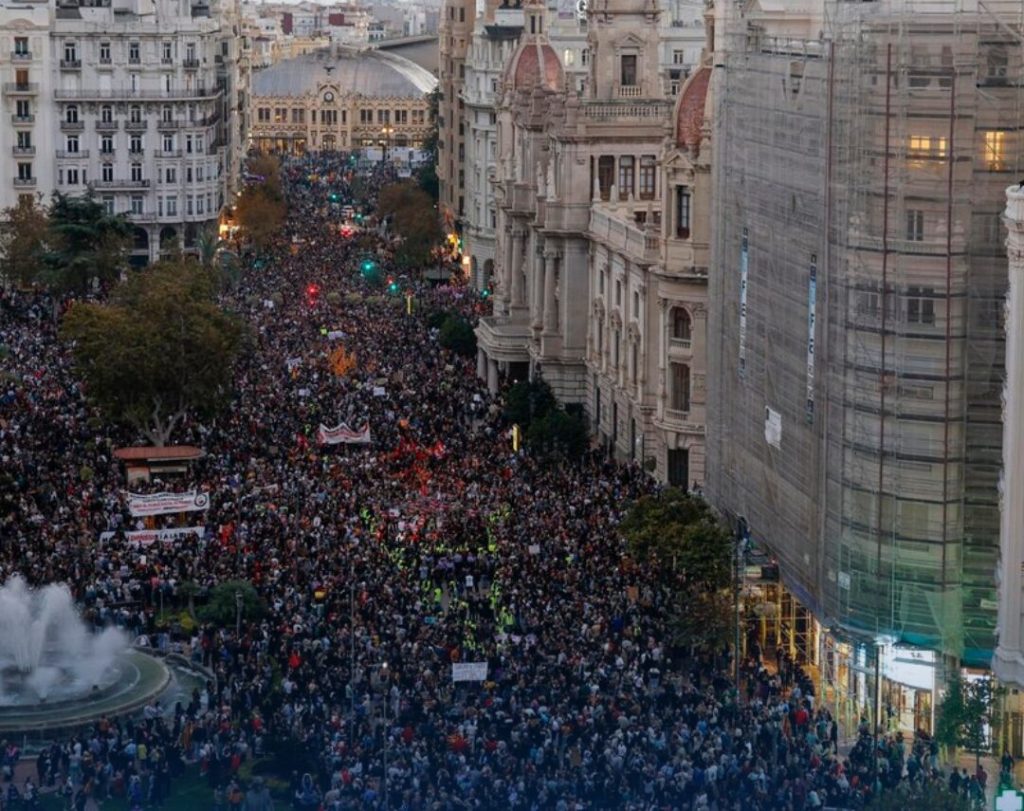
[691,553]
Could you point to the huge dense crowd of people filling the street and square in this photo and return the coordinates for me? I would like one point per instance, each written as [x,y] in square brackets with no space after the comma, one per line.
[381,566]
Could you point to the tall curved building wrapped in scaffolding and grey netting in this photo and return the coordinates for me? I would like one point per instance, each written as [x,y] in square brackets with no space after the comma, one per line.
[856,327]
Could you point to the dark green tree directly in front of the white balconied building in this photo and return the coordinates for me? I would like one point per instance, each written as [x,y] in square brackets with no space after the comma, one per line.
[87,244]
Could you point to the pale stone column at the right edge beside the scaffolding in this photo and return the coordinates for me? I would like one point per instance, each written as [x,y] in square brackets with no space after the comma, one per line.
[1009,660]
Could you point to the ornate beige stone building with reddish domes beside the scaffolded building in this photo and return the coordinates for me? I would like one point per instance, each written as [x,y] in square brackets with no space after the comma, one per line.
[603,238]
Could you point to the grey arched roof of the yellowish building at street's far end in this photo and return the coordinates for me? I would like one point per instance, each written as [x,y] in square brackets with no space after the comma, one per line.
[354,71]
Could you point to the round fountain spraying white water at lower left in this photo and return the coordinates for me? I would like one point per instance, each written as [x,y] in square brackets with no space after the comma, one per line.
[56,673]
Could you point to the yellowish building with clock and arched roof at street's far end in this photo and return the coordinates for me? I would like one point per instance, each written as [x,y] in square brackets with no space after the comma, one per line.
[342,99]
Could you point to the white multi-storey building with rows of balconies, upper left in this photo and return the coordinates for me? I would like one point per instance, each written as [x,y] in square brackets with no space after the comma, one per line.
[140,102]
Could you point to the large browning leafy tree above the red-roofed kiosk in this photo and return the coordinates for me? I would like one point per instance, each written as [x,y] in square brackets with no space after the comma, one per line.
[160,351]
